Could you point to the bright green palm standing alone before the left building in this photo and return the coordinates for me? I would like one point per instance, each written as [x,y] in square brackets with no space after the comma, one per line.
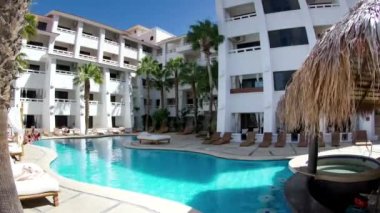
[85,73]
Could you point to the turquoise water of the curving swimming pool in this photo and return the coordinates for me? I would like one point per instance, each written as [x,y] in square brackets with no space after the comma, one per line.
[204,182]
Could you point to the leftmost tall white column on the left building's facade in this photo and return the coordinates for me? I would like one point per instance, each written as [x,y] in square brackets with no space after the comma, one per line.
[48,117]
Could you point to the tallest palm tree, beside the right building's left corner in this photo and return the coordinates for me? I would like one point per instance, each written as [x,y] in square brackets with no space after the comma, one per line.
[205,36]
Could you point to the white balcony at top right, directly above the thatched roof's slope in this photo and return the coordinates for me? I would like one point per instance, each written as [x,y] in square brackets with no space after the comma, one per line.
[325,12]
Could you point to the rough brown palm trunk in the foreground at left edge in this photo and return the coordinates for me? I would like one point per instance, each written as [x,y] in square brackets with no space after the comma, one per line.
[11,26]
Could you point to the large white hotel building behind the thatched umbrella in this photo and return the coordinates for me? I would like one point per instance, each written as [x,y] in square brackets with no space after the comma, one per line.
[265,42]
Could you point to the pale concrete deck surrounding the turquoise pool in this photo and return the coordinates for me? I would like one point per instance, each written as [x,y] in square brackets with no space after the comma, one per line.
[92,198]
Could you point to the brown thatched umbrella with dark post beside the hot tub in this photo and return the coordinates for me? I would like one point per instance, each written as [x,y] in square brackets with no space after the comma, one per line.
[340,77]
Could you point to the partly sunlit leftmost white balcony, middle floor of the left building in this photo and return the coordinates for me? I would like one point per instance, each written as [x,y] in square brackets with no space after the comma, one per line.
[31,79]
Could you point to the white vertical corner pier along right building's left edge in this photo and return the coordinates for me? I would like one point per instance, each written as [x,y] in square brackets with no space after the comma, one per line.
[224,118]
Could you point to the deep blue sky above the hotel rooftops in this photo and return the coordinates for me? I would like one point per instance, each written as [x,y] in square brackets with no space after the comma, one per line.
[175,16]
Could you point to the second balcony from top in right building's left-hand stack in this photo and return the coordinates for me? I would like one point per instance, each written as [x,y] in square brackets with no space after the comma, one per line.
[244,54]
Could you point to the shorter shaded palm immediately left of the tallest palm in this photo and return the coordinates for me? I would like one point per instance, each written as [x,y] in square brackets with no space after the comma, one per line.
[191,74]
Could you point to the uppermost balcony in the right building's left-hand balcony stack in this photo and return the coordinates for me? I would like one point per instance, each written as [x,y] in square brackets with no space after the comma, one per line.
[240,20]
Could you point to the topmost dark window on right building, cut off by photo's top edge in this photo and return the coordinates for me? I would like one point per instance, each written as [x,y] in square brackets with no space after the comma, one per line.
[273,6]
